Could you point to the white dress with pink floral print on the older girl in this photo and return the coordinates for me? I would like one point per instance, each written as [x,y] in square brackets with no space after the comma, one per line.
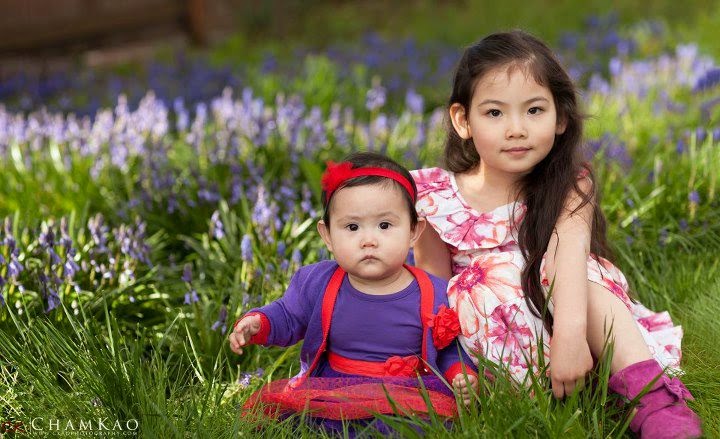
[485,290]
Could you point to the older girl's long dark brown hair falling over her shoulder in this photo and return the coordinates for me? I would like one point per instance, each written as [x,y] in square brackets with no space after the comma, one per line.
[546,189]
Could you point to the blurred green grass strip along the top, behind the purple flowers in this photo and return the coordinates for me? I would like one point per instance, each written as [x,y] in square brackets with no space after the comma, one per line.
[457,22]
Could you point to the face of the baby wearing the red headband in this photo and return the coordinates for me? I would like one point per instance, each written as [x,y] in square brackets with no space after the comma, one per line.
[370,232]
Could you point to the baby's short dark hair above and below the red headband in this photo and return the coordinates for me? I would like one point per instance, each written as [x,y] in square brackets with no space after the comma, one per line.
[374,160]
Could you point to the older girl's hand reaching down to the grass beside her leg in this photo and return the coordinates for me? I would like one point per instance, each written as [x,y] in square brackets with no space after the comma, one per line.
[570,361]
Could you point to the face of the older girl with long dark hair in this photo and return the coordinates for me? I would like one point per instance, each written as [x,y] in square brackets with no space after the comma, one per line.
[512,121]
